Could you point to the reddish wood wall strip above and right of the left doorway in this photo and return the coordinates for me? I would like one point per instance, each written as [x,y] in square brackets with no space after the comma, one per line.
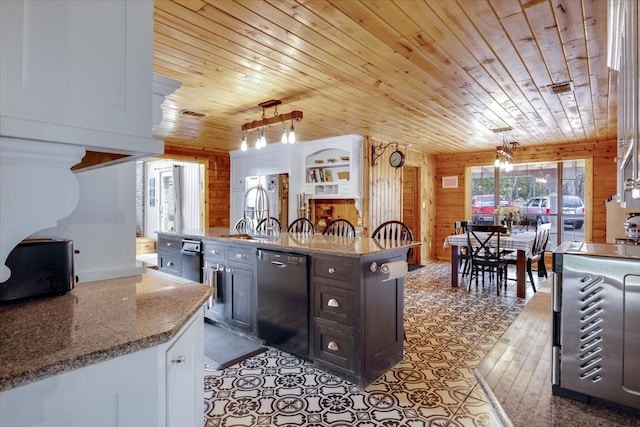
[218,166]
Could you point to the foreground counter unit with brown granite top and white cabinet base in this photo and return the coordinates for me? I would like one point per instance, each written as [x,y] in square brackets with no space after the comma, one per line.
[126,351]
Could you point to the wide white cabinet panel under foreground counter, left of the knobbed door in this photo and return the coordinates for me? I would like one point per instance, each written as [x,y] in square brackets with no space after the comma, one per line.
[121,392]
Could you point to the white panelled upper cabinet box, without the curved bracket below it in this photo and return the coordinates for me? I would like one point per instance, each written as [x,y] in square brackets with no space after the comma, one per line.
[78,73]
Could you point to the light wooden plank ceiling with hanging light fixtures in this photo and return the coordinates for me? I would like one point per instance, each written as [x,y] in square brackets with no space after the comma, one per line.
[440,75]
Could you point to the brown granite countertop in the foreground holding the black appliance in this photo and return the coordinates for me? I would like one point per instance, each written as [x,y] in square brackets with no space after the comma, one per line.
[94,322]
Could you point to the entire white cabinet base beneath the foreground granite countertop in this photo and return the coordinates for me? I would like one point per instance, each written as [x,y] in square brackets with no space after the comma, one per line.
[158,386]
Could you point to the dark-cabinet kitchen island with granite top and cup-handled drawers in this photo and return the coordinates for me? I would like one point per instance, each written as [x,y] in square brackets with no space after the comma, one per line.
[355,311]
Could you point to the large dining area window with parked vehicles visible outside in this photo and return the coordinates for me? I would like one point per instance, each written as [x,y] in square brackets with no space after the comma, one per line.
[537,189]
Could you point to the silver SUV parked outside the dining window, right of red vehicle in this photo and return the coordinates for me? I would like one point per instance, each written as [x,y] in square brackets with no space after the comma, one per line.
[538,209]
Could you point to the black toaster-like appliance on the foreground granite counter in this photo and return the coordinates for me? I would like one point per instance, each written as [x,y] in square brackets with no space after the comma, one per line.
[39,267]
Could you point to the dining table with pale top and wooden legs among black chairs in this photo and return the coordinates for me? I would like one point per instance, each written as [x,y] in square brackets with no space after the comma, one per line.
[520,241]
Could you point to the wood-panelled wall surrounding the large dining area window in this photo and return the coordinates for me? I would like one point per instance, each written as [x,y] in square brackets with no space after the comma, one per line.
[600,185]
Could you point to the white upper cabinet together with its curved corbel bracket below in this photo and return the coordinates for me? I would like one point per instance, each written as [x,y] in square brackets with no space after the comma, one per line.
[76,91]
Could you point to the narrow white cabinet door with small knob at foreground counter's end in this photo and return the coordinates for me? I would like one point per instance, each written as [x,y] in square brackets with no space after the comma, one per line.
[185,376]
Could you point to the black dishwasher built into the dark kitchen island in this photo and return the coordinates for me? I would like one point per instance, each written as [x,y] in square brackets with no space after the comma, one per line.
[283,301]
